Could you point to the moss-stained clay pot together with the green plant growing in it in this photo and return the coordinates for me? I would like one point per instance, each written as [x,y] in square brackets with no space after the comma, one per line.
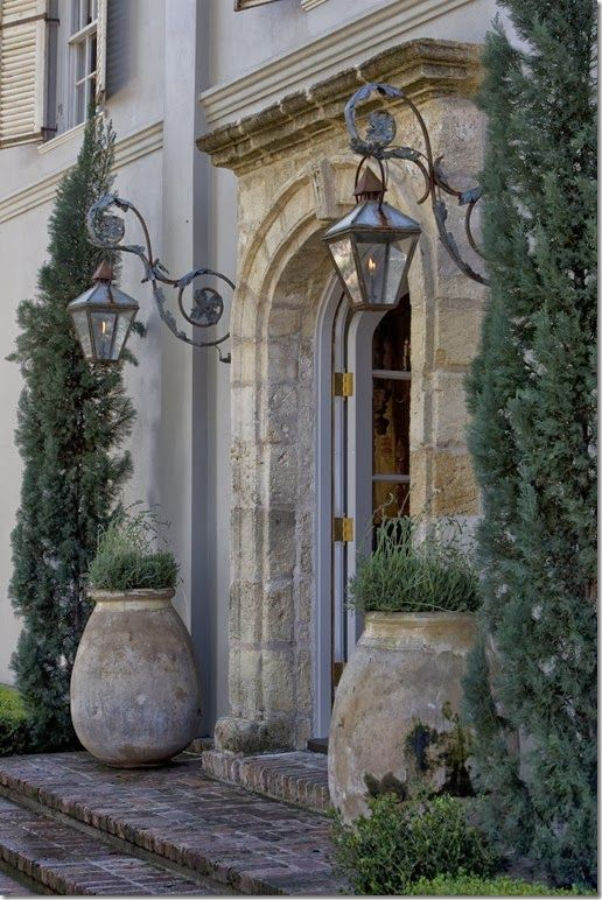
[395,721]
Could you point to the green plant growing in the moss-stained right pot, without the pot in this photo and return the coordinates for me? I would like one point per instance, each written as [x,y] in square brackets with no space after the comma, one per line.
[404,574]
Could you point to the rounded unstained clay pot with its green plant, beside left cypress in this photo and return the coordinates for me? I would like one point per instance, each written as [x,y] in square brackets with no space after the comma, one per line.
[135,696]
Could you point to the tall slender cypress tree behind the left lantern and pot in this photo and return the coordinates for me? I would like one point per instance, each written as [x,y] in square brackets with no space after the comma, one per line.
[71,417]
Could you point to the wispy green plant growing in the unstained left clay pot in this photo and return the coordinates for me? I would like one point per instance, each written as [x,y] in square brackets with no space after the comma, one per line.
[127,558]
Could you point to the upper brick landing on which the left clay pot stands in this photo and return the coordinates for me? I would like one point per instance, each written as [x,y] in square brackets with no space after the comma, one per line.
[176,812]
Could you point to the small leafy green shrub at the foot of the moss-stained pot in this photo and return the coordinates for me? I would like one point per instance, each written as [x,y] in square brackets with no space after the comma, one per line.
[402,842]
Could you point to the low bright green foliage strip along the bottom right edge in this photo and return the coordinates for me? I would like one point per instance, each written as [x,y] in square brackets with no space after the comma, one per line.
[476,886]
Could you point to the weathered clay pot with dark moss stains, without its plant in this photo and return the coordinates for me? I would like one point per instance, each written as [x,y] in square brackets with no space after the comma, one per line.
[394,723]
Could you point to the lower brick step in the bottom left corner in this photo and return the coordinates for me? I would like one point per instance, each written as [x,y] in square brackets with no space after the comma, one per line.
[61,859]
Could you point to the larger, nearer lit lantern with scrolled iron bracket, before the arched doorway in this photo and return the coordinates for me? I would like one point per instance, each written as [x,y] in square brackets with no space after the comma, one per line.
[372,247]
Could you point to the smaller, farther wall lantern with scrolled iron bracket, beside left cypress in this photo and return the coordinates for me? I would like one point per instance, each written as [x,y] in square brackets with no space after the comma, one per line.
[103,315]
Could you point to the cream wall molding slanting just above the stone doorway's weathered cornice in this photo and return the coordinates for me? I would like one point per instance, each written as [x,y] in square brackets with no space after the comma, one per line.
[339,49]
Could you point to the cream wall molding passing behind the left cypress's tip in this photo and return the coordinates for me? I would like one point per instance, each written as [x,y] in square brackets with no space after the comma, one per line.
[131,148]
